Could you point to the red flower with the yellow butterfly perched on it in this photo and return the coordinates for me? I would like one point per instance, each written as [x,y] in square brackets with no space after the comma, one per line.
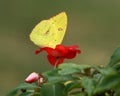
[57,55]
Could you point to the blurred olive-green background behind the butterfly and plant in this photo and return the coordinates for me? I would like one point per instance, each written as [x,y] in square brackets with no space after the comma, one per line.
[94,25]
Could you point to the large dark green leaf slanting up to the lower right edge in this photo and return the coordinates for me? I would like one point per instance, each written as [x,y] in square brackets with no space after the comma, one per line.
[107,82]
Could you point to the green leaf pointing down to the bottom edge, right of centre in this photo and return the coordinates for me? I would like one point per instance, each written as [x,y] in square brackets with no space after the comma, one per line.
[89,85]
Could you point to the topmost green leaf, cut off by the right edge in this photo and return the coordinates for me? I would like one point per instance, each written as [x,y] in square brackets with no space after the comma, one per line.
[115,58]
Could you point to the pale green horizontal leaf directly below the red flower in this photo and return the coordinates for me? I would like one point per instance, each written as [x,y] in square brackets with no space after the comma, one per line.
[70,68]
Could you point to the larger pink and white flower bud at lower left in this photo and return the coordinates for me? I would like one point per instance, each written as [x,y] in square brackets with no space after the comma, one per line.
[32,77]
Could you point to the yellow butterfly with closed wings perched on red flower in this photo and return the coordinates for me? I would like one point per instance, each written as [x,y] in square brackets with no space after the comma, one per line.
[49,33]
